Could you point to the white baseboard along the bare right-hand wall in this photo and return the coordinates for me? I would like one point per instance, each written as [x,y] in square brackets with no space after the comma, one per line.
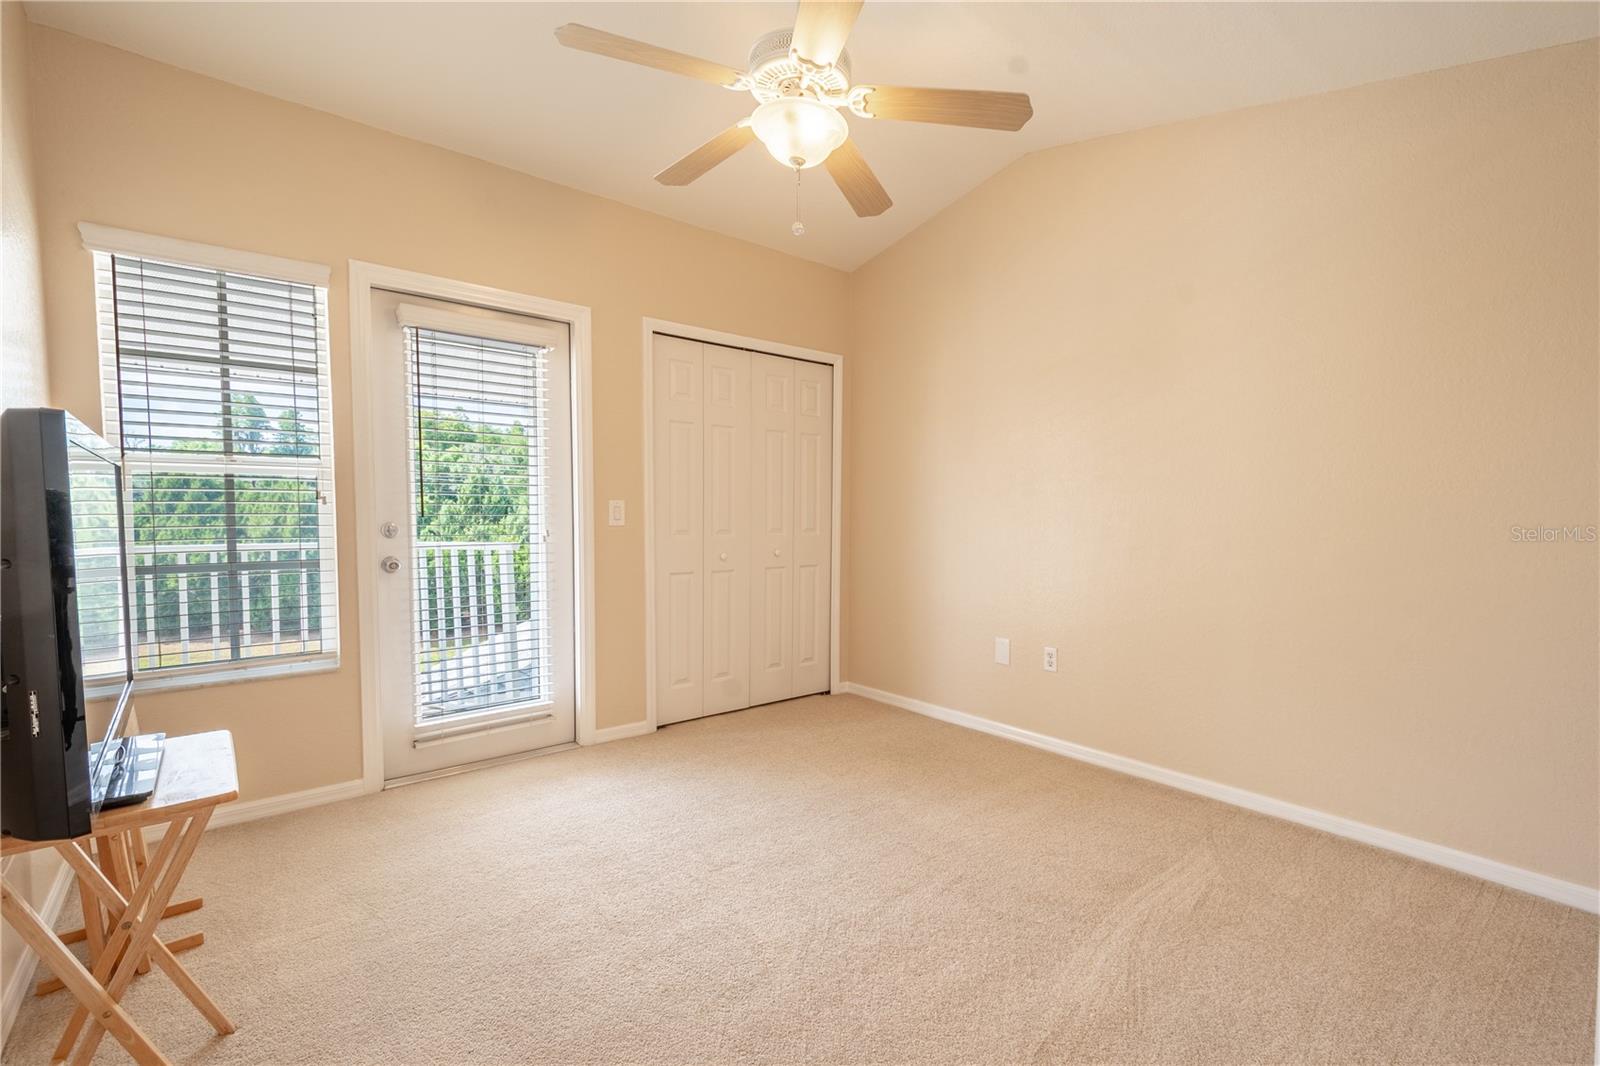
[1545,886]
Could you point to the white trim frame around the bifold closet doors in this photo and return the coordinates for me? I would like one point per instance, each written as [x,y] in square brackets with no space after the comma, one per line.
[770,348]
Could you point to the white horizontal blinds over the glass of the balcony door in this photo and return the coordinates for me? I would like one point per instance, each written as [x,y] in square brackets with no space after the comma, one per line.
[479,502]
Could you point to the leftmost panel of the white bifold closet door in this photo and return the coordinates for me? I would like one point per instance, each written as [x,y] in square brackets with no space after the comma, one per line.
[679,529]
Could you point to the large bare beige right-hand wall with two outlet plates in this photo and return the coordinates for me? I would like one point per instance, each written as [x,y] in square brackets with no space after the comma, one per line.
[1241,414]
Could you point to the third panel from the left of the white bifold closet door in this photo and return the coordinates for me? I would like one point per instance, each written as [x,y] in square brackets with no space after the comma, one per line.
[772,545]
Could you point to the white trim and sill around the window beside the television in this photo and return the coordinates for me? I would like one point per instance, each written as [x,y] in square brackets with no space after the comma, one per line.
[124,242]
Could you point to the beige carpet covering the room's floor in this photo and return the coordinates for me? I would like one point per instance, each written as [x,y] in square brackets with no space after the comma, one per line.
[836,881]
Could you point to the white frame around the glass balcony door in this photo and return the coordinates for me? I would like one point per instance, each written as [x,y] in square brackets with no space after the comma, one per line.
[369,543]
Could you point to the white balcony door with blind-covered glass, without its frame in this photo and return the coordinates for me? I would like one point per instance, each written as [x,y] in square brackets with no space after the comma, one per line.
[474,468]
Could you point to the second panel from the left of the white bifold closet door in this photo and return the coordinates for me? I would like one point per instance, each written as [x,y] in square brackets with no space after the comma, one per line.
[727,563]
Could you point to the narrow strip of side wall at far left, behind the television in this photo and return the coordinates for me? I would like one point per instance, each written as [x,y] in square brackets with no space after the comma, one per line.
[25,379]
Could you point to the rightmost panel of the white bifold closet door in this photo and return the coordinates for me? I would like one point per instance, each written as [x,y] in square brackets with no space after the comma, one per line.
[814,527]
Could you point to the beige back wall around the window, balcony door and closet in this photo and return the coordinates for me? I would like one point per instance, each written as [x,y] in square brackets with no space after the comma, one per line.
[145,146]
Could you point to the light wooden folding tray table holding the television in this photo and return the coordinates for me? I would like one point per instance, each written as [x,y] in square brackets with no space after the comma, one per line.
[198,775]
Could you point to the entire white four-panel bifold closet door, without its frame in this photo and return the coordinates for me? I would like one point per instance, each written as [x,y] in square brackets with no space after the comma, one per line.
[743,527]
